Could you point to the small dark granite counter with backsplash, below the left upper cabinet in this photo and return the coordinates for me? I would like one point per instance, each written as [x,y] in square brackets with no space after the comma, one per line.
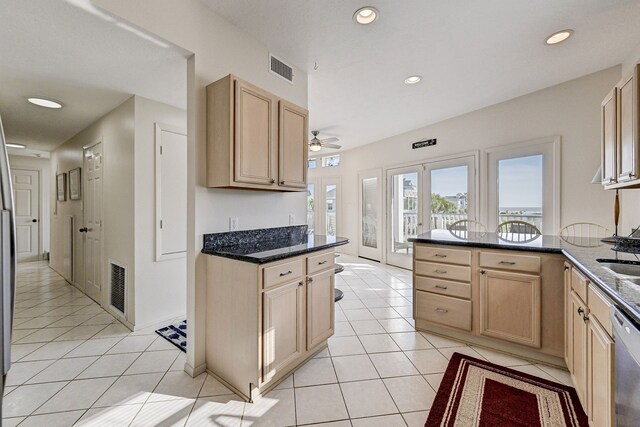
[268,244]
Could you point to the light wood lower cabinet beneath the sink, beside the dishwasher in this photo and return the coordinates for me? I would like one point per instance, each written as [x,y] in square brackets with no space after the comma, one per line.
[590,356]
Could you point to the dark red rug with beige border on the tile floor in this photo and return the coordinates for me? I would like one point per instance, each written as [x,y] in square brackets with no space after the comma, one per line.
[474,392]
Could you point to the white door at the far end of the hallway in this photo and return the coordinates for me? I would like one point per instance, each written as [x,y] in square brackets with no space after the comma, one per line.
[26,194]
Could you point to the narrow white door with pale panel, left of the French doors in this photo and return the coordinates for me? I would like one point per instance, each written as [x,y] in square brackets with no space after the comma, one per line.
[370,210]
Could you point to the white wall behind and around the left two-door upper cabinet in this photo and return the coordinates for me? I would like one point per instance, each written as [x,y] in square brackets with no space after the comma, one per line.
[218,48]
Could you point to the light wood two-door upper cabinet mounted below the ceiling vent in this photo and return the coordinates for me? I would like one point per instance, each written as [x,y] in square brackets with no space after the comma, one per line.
[255,140]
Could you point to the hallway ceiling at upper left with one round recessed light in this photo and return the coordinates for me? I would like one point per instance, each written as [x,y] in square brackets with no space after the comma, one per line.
[58,50]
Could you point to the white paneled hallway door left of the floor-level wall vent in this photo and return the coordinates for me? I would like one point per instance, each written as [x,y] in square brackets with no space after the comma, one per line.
[93,221]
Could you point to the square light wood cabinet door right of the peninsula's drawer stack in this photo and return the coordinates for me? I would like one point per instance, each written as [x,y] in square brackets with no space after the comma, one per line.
[510,306]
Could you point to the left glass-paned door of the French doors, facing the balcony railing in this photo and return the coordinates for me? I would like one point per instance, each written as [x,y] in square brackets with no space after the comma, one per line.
[404,215]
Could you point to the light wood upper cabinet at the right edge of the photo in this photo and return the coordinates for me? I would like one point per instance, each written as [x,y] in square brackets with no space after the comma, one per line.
[621,135]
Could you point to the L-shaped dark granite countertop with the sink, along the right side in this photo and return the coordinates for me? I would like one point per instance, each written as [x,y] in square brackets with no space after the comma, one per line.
[582,252]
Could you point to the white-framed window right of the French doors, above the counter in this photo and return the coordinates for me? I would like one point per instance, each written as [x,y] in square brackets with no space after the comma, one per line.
[524,184]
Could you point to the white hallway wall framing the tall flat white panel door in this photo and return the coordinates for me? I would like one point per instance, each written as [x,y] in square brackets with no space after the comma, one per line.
[161,287]
